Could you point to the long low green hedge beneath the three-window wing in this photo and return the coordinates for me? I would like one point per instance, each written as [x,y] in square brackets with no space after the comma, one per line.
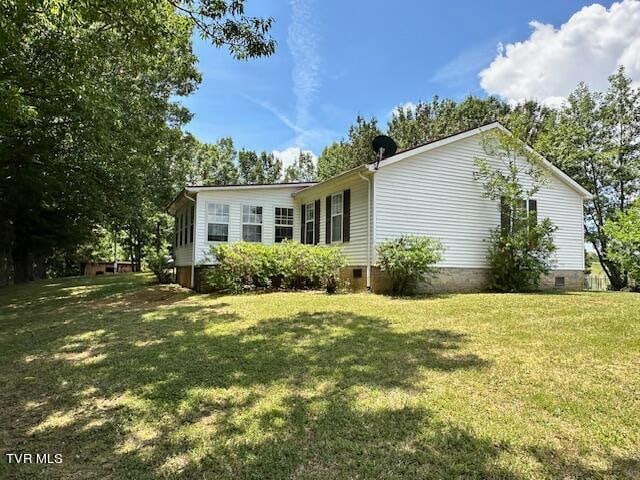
[246,266]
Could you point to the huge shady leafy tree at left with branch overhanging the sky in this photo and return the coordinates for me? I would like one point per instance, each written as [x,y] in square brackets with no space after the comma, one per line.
[87,112]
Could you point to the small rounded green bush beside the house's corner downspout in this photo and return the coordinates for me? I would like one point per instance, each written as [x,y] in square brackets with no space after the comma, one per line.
[407,260]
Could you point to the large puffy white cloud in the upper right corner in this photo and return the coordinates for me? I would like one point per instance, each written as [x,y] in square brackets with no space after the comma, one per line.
[550,63]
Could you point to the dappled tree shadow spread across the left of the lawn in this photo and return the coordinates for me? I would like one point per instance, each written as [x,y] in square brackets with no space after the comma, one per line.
[195,392]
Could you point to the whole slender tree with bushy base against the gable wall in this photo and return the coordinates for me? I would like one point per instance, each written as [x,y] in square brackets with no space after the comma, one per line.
[521,248]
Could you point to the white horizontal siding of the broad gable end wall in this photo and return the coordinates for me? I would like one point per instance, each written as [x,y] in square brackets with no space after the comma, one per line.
[435,194]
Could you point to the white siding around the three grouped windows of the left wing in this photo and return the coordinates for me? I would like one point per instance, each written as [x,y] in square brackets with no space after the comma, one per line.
[267,198]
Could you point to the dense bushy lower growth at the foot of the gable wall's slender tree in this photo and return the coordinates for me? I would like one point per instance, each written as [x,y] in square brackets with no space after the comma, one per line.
[519,258]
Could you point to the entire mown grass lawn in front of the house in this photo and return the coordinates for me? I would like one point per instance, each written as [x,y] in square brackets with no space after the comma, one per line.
[130,380]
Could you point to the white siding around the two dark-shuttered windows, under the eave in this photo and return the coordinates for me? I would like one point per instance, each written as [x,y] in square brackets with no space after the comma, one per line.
[355,250]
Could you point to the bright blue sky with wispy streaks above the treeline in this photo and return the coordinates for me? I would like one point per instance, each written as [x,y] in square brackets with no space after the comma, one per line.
[336,59]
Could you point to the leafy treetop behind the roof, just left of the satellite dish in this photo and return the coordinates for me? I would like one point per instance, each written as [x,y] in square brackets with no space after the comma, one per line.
[356,151]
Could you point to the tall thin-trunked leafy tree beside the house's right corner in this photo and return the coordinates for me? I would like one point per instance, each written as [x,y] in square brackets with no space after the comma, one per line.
[595,140]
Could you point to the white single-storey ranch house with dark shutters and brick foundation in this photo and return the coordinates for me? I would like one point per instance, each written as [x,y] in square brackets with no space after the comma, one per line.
[428,190]
